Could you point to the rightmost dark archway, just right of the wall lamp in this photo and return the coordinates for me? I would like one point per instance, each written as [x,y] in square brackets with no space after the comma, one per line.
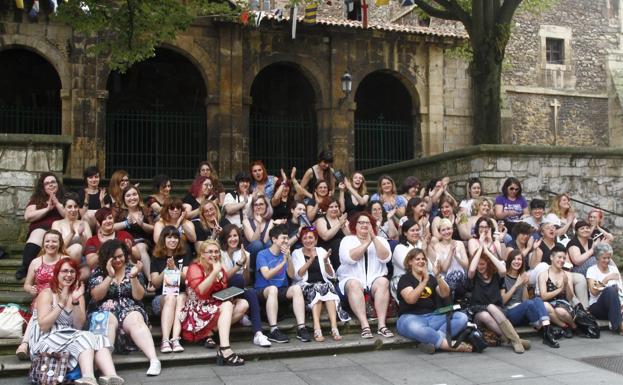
[384,129]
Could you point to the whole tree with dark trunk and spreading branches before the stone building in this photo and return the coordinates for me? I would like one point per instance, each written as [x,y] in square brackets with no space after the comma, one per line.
[487,23]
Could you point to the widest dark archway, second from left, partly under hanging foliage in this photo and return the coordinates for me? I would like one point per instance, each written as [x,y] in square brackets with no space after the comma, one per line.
[156,118]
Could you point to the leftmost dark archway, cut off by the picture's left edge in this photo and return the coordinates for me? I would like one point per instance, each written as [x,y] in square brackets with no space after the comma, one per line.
[30,101]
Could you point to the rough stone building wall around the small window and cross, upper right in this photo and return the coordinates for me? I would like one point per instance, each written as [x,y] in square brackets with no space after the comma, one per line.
[589,29]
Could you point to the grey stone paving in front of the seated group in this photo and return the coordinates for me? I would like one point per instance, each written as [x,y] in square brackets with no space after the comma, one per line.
[541,365]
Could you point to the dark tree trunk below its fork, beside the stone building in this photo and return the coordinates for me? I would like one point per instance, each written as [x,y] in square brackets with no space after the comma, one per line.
[486,72]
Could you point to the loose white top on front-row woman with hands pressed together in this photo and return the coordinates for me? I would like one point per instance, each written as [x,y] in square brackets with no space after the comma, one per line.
[351,269]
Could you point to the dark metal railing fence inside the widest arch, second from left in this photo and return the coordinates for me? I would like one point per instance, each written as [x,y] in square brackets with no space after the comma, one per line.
[146,143]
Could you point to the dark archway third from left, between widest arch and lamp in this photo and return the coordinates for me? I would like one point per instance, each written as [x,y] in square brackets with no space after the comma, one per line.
[282,121]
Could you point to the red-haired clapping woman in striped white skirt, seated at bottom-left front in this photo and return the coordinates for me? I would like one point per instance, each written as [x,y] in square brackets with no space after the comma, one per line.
[59,316]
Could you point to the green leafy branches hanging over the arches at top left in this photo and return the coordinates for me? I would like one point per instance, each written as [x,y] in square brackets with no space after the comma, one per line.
[128,31]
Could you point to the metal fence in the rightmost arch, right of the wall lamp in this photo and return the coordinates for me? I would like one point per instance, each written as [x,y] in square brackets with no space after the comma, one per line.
[379,142]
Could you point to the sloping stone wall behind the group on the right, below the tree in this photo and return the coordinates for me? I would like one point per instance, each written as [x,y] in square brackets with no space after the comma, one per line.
[592,175]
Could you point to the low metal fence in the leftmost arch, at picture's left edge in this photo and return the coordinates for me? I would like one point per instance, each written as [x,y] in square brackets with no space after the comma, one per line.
[30,120]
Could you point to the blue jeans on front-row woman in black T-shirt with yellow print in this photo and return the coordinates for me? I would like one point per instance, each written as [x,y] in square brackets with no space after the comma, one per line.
[430,328]
